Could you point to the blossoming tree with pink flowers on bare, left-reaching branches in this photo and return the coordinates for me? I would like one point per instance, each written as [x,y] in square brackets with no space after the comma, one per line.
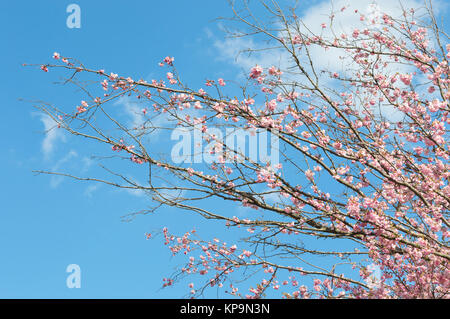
[362,180]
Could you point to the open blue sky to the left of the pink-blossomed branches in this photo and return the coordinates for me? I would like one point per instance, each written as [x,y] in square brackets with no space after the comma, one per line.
[47,223]
